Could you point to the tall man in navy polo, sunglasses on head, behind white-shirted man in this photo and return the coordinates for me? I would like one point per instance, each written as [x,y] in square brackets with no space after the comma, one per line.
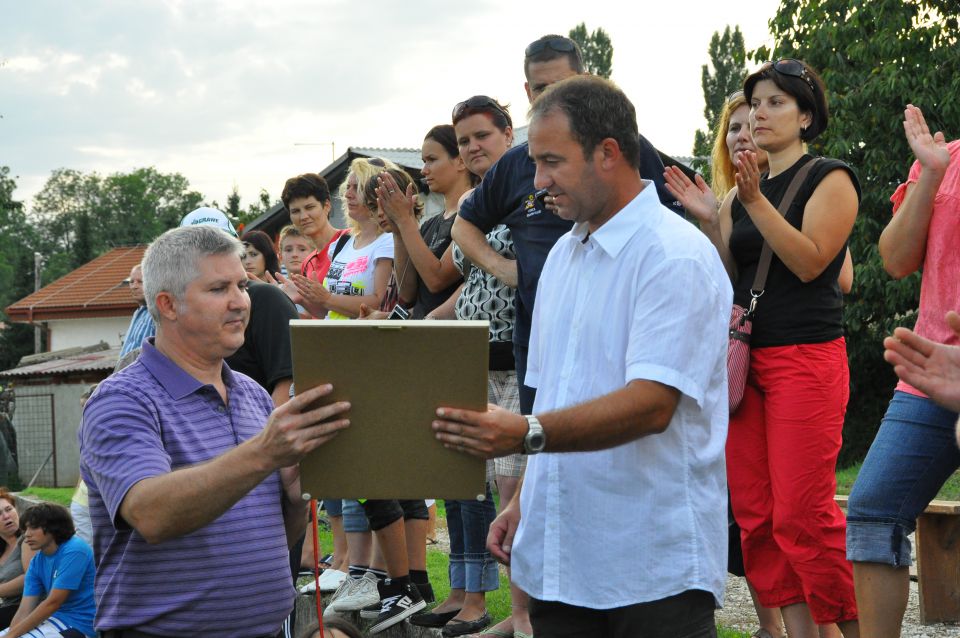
[506,196]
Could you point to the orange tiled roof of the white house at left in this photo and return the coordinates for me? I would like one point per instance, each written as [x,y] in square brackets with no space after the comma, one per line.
[96,289]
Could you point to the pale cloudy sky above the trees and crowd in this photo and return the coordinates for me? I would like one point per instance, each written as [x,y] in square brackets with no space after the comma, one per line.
[249,93]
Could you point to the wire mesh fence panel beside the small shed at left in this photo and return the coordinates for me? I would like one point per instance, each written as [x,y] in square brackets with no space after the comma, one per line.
[36,439]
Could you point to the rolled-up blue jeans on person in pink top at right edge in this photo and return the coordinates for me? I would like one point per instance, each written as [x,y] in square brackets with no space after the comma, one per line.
[914,453]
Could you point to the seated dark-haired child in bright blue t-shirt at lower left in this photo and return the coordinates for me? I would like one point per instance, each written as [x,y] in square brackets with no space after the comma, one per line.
[58,587]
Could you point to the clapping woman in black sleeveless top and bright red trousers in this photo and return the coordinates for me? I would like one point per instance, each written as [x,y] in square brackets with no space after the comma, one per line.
[785,436]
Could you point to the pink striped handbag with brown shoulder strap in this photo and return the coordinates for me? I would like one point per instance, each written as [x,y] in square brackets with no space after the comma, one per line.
[741,319]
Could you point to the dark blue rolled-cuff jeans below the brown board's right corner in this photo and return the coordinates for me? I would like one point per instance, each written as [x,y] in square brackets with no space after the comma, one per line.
[472,568]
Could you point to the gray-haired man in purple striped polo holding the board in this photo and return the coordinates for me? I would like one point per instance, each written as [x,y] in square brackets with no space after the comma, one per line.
[194,492]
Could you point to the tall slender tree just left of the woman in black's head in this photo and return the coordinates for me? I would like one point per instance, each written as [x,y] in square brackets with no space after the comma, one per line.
[728,58]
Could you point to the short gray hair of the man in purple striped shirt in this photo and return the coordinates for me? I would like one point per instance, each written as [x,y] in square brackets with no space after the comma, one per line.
[173,259]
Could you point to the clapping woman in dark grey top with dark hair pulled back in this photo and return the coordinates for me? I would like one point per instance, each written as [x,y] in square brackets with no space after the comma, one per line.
[426,276]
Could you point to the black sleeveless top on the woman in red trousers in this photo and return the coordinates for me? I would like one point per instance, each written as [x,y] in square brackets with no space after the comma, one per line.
[789,312]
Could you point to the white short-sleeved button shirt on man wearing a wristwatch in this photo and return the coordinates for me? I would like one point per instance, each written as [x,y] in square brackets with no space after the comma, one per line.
[644,297]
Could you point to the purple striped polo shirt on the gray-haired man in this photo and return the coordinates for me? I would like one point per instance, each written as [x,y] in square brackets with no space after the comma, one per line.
[230,578]
